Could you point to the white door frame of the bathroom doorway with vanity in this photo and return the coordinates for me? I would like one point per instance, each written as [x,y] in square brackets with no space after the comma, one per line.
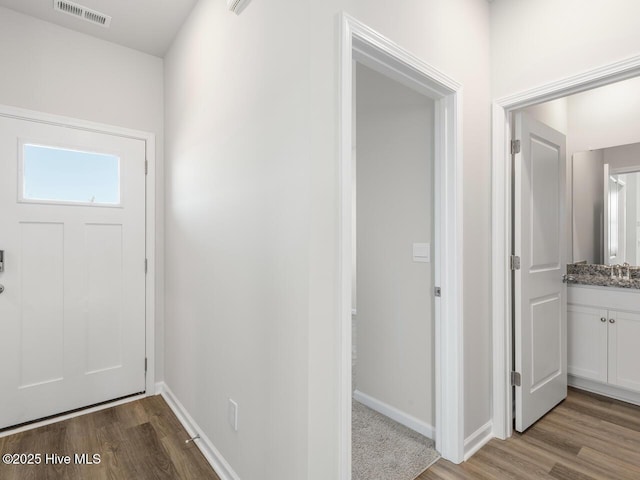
[501,228]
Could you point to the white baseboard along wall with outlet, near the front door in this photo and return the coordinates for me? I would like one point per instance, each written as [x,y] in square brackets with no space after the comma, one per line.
[210,452]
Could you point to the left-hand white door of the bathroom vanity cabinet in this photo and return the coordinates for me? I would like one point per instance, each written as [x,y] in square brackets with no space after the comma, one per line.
[587,342]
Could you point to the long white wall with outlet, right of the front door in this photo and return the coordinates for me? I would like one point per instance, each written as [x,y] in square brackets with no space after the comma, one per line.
[237,123]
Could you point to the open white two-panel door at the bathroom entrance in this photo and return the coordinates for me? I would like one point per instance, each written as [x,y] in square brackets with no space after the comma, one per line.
[539,293]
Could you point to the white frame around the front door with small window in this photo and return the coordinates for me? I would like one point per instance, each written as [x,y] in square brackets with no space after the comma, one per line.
[150,240]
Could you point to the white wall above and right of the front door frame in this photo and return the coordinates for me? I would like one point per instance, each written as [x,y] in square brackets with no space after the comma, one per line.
[52,69]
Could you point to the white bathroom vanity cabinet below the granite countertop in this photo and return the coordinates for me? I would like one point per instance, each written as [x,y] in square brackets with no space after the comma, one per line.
[603,334]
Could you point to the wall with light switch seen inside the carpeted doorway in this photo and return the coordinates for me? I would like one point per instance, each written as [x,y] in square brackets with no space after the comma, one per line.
[394,210]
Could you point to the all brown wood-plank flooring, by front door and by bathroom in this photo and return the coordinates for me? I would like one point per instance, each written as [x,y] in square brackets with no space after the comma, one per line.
[586,437]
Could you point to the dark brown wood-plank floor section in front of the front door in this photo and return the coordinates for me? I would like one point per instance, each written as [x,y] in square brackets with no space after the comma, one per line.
[140,440]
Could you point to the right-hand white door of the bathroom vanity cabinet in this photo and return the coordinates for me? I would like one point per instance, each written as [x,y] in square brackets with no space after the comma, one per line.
[624,349]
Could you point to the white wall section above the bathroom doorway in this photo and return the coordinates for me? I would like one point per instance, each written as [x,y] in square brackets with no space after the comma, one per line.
[534,42]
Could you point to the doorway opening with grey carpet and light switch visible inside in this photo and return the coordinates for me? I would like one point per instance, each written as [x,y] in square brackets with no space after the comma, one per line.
[392,299]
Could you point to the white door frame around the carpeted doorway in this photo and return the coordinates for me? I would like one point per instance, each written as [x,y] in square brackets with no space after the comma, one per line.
[368,47]
